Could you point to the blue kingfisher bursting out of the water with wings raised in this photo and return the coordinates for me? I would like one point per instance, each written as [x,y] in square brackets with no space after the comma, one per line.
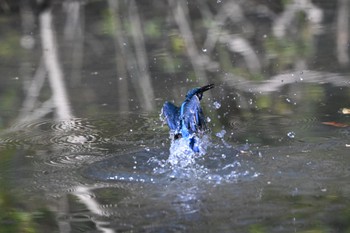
[187,120]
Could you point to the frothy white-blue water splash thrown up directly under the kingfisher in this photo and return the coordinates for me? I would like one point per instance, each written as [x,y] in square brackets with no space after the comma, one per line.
[216,162]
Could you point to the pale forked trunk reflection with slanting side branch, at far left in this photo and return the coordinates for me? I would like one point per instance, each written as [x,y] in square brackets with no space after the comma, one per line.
[51,66]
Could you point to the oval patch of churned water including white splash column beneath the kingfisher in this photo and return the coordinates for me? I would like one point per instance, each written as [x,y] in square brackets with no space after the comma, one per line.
[214,163]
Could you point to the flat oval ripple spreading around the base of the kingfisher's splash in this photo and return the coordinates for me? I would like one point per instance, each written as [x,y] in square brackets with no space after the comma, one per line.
[153,166]
